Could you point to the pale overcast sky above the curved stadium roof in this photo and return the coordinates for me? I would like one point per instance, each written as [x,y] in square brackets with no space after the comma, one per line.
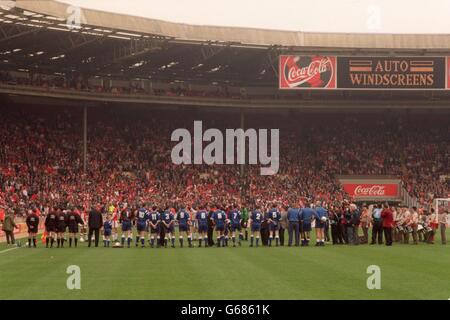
[377,16]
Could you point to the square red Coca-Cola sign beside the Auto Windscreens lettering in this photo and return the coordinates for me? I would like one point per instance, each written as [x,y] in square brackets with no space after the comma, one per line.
[307,72]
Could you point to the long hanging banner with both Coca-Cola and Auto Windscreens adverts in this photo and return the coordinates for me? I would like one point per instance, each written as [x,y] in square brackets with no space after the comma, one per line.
[368,73]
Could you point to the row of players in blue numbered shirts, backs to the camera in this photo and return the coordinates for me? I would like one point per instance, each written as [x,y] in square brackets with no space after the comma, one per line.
[160,226]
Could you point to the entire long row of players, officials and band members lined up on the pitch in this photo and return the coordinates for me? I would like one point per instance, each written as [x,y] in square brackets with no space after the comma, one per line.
[264,224]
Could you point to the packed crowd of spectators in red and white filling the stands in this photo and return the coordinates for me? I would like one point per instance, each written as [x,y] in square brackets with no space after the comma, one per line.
[41,158]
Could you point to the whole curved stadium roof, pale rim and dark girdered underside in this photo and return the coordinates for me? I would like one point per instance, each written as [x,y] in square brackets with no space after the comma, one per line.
[34,38]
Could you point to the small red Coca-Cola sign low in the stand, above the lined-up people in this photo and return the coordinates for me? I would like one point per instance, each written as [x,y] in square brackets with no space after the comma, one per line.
[371,190]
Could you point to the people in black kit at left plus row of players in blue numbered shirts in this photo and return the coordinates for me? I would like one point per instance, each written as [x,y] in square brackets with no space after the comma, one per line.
[160,226]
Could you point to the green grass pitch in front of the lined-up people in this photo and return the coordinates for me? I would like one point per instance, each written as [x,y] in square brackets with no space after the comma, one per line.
[330,272]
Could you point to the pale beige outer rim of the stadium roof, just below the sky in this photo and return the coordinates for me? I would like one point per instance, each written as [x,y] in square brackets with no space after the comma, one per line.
[245,36]
